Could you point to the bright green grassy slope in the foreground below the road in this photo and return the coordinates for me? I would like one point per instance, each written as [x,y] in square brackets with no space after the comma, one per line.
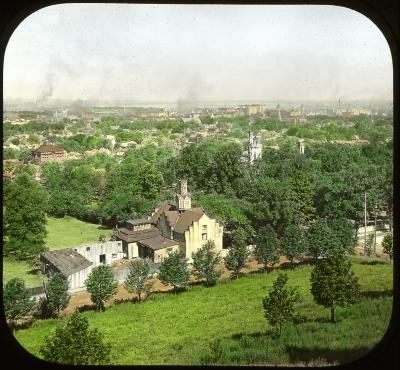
[225,323]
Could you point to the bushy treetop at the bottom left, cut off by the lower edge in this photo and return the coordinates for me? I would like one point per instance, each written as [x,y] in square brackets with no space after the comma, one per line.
[73,343]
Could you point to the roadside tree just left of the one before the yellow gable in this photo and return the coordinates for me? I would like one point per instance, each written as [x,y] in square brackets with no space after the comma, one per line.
[173,270]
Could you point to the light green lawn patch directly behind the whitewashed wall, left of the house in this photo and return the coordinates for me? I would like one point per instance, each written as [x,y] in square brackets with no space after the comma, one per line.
[69,232]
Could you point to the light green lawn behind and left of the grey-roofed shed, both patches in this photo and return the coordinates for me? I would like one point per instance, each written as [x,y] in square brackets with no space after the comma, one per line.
[62,233]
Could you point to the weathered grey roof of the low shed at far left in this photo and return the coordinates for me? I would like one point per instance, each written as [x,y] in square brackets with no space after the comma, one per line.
[67,261]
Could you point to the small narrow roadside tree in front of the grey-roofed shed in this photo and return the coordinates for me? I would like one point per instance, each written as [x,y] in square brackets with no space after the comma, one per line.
[56,291]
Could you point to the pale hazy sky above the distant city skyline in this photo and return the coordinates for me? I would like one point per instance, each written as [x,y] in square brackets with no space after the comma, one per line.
[197,52]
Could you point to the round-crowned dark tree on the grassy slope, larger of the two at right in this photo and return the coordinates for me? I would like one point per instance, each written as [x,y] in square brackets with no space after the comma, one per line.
[333,284]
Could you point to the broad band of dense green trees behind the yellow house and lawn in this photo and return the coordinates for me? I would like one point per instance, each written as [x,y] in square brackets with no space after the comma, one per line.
[282,189]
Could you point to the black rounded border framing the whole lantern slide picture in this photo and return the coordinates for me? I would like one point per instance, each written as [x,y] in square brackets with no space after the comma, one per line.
[384,13]
